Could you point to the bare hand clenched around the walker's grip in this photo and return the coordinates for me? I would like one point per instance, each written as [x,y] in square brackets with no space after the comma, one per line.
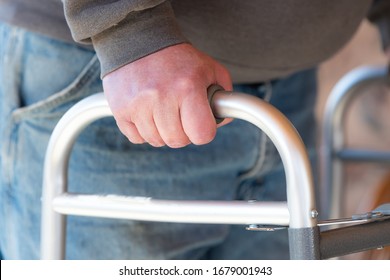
[162,98]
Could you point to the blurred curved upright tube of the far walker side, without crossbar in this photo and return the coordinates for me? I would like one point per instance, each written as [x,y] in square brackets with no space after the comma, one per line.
[331,194]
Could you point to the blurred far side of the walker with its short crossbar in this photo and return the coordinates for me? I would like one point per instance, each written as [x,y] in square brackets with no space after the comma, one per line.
[334,152]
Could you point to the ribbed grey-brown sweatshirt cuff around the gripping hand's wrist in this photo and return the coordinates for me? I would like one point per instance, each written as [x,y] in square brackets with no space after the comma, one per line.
[138,35]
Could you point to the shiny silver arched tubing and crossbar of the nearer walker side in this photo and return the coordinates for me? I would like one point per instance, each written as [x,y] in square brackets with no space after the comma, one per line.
[298,213]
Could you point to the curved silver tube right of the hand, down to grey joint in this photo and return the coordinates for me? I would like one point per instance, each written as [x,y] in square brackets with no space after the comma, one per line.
[299,181]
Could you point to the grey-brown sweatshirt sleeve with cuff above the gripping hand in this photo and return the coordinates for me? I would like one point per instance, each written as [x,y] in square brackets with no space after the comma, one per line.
[122,31]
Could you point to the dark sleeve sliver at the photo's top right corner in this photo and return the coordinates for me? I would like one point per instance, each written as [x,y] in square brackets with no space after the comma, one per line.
[379,14]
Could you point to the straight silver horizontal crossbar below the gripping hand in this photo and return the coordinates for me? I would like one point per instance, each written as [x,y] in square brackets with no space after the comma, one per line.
[148,209]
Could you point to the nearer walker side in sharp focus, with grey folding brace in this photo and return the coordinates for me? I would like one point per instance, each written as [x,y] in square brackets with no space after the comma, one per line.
[298,214]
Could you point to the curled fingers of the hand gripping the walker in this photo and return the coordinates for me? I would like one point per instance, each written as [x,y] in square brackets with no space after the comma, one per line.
[168,122]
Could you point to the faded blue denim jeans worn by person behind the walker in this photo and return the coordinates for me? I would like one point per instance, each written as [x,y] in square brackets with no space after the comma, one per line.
[41,78]
